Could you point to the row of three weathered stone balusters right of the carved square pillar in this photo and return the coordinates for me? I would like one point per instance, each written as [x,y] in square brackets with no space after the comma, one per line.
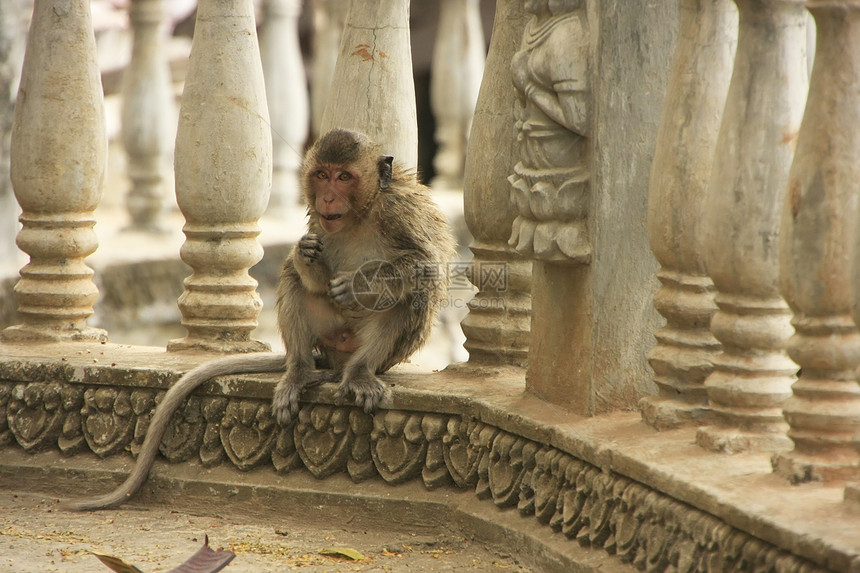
[754,204]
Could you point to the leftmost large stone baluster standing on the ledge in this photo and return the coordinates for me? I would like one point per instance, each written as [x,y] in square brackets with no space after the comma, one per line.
[59,147]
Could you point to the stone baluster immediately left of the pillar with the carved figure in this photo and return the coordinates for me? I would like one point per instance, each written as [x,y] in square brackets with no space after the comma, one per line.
[497,326]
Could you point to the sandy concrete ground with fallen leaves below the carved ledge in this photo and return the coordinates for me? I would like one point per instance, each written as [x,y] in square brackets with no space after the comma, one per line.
[37,537]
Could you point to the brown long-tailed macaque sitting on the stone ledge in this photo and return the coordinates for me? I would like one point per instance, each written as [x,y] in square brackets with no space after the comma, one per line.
[357,294]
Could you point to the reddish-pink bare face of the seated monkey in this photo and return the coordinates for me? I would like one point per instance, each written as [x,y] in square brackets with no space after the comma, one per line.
[335,189]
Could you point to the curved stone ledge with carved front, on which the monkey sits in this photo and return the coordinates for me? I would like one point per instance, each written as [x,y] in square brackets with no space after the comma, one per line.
[607,481]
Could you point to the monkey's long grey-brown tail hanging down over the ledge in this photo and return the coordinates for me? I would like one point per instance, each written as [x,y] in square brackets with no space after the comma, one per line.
[240,364]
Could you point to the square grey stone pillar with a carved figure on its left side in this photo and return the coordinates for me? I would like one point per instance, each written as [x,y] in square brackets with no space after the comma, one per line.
[580,193]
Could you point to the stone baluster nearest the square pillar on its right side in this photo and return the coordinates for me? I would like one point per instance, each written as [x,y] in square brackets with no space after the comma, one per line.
[683,156]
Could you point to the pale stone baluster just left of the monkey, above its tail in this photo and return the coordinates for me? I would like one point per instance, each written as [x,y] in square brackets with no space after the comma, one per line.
[223,166]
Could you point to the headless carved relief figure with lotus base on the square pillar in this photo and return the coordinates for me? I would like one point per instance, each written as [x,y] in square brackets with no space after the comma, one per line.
[550,182]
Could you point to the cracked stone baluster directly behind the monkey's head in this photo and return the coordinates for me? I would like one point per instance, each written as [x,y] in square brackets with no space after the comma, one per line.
[373,90]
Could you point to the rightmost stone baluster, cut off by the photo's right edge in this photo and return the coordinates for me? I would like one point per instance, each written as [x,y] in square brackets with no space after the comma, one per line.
[816,248]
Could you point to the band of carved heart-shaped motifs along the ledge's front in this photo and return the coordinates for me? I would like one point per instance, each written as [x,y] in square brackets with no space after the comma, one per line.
[597,508]
